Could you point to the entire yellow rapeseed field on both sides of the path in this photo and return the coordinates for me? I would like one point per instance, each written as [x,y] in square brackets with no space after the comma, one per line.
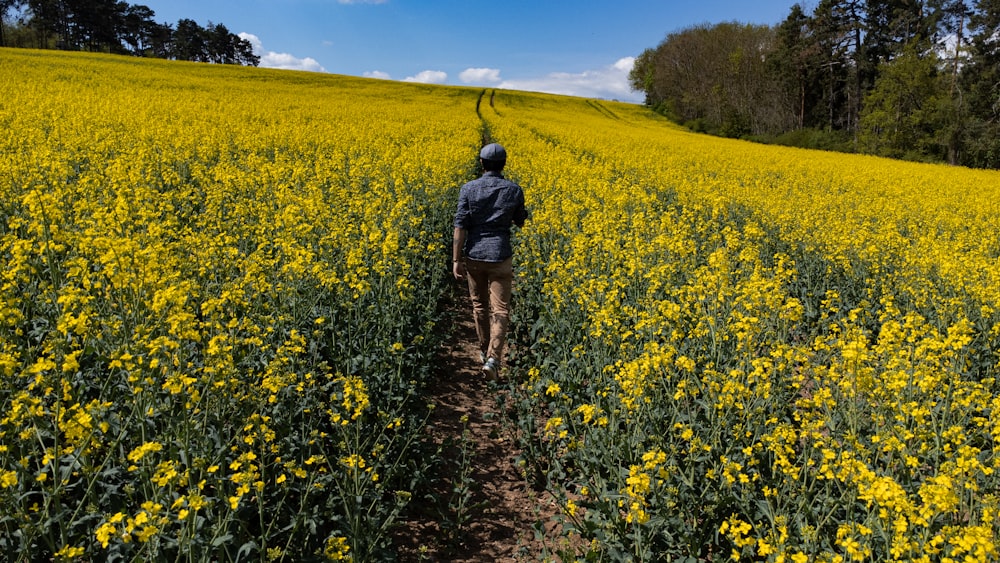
[220,305]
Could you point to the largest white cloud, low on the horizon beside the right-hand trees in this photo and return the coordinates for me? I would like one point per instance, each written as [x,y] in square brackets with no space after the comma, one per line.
[610,82]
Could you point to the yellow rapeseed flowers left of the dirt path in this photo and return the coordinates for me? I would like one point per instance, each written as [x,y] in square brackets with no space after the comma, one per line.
[218,300]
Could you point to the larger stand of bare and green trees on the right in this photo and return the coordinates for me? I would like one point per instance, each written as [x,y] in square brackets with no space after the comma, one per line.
[913,79]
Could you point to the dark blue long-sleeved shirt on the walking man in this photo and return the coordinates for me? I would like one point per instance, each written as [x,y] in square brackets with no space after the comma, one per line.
[487,207]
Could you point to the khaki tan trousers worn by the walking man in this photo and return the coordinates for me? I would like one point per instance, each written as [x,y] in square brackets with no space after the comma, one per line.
[490,288]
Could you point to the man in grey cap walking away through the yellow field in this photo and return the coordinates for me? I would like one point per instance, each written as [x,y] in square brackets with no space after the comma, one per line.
[482,252]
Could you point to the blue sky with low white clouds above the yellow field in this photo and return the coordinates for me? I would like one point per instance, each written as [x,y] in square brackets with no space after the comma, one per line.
[575,47]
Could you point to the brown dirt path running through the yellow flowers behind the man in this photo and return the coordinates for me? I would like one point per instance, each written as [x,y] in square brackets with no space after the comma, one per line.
[502,519]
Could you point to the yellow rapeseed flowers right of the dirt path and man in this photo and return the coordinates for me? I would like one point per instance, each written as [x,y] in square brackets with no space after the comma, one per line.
[752,353]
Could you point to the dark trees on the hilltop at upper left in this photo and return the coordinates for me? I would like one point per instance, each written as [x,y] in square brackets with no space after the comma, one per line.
[113,26]
